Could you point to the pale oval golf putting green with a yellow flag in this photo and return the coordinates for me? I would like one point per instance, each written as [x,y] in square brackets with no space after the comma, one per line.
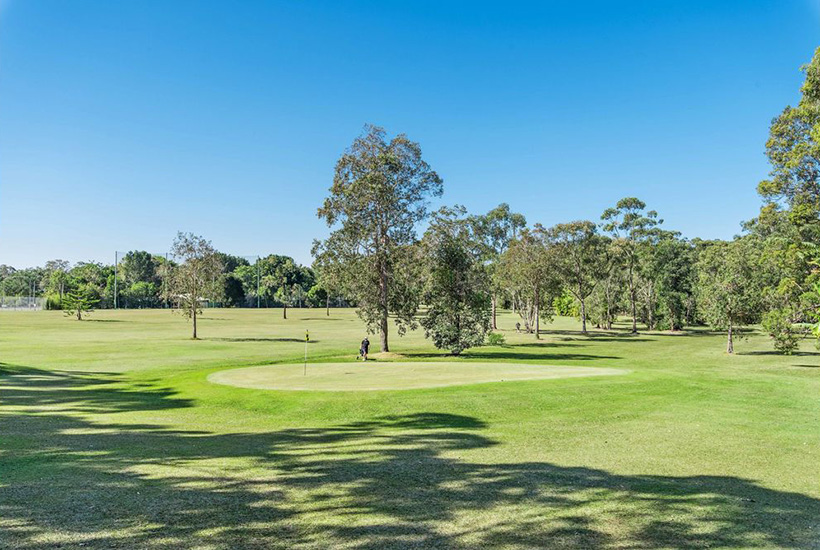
[372,376]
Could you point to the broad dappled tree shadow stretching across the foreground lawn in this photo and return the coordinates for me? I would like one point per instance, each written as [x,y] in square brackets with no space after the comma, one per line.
[71,475]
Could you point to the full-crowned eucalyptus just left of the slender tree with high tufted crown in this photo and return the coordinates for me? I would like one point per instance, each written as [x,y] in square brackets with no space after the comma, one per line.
[579,259]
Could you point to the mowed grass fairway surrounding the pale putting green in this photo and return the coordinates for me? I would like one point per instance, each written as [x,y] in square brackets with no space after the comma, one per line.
[111,436]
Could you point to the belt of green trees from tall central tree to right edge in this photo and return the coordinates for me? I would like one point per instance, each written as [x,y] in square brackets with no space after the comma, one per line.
[464,265]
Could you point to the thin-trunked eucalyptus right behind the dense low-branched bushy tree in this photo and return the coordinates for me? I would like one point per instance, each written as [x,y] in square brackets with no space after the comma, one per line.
[495,230]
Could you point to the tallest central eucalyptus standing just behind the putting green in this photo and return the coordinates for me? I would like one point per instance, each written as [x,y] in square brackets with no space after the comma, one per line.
[380,193]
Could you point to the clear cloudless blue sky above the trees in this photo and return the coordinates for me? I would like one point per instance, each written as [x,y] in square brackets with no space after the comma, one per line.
[123,122]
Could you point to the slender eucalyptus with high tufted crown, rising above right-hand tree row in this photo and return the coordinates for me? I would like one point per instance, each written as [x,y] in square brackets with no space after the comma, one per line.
[630,224]
